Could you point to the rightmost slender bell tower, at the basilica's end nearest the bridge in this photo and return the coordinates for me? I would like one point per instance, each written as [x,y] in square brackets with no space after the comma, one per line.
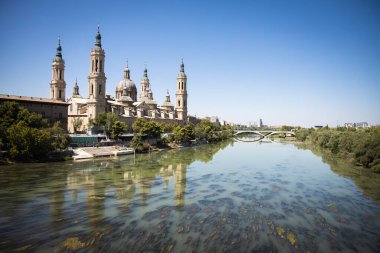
[181,94]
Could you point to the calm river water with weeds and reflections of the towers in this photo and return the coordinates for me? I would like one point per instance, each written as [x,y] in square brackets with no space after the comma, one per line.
[230,196]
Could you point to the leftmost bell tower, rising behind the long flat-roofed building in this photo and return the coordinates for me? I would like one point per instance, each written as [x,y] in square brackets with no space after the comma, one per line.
[57,83]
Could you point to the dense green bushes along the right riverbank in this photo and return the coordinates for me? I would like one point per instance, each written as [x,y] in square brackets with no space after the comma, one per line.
[358,146]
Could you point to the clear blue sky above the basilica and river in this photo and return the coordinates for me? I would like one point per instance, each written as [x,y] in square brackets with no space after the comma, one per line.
[288,62]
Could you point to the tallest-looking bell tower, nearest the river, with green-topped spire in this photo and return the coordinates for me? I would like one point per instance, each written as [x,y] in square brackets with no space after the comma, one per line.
[97,80]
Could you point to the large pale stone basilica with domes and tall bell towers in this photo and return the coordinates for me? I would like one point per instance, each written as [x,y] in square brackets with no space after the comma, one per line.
[126,103]
